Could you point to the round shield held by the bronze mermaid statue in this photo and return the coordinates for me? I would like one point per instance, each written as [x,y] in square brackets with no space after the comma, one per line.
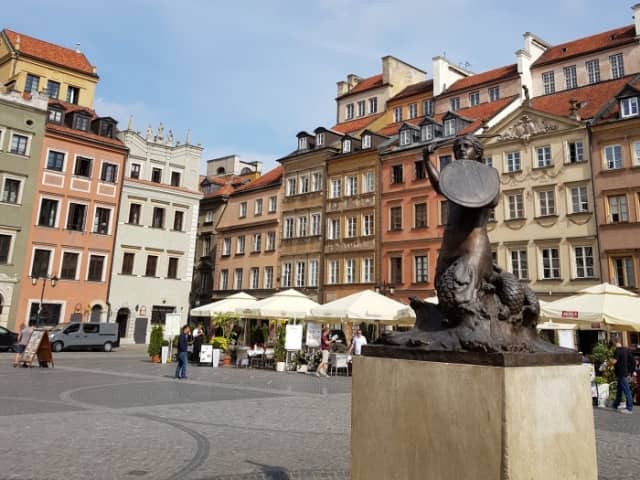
[469,183]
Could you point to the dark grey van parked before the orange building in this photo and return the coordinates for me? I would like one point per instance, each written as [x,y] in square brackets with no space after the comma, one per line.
[84,336]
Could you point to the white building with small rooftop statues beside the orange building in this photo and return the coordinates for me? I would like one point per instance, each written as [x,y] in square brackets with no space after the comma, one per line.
[155,241]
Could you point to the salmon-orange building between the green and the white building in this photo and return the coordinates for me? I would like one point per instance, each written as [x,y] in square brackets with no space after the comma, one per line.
[70,245]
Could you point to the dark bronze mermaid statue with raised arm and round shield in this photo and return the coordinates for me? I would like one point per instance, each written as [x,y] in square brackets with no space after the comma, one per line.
[480,306]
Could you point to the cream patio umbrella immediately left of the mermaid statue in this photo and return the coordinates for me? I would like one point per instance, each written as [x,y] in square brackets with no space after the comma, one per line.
[365,306]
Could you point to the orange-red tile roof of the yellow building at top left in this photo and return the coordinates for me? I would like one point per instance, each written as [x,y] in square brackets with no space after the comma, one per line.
[49,52]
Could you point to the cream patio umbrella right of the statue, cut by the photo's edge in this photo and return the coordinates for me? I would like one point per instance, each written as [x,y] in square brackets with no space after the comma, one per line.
[604,303]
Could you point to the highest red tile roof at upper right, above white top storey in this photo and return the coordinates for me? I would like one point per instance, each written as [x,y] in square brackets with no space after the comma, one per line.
[590,44]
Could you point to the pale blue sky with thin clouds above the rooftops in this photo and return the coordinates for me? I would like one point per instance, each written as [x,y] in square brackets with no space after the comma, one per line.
[246,75]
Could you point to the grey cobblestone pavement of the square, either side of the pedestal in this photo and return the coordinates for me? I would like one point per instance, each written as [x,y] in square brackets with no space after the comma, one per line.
[117,416]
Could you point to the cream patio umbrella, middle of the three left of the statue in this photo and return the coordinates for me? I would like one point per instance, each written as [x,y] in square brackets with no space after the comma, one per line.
[286,304]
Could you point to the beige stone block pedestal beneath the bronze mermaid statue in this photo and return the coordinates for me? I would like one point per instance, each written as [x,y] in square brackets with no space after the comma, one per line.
[431,420]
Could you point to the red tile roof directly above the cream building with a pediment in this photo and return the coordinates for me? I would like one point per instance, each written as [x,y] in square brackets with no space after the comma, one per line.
[591,98]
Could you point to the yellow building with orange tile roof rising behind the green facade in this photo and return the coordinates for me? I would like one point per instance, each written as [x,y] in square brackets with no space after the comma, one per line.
[28,64]
